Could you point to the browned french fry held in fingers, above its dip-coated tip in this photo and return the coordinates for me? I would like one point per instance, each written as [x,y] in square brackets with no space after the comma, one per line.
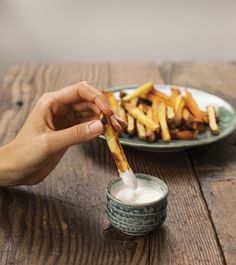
[114,145]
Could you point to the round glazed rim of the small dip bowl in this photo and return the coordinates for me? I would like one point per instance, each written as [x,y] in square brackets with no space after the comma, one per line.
[138,205]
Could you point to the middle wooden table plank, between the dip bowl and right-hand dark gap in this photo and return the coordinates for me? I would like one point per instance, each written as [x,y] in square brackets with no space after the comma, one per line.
[187,237]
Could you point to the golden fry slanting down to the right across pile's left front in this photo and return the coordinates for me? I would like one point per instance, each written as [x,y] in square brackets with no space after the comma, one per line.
[141,117]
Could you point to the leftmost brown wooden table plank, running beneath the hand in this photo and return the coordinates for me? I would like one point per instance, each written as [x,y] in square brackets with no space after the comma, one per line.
[61,220]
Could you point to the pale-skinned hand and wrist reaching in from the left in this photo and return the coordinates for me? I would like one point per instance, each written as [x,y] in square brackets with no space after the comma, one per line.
[66,117]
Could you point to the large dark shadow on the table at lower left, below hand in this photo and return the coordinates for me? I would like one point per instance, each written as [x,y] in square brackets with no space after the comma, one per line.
[38,228]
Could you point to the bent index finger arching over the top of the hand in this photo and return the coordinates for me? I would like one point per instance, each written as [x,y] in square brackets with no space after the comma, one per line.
[84,92]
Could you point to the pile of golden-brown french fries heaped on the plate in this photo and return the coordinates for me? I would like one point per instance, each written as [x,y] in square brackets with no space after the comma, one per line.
[152,115]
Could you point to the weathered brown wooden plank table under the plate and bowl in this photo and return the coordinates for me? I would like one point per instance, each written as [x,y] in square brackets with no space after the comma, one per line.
[62,220]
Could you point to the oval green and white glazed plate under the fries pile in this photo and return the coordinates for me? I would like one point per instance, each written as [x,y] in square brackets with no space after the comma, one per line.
[227,122]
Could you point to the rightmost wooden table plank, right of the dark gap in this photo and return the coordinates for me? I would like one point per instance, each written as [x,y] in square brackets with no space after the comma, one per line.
[215,164]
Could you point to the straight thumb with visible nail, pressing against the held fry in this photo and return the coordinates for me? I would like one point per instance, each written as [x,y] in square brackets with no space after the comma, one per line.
[77,134]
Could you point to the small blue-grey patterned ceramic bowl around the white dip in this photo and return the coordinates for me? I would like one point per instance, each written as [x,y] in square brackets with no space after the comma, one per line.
[135,218]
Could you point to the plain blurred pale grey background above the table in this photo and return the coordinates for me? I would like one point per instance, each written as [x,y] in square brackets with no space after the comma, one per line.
[107,30]
